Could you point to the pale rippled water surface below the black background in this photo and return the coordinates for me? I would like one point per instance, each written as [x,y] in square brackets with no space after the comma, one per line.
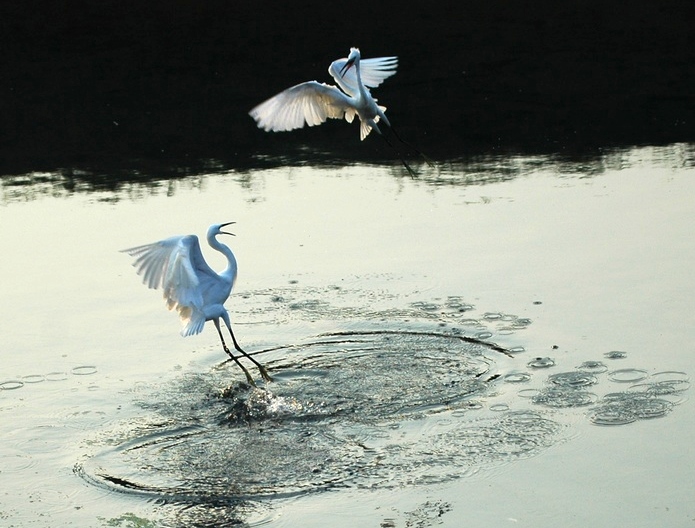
[357,284]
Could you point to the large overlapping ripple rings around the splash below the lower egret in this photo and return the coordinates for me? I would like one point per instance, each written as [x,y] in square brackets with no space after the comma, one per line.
[346,409]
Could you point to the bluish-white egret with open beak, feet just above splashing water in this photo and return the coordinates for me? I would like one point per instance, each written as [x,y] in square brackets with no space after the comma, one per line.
[176,265]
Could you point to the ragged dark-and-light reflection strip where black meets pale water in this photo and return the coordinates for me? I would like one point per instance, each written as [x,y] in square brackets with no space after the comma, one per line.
[141,180]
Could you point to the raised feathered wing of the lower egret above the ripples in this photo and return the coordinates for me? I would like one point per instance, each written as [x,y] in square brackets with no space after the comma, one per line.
[177,267]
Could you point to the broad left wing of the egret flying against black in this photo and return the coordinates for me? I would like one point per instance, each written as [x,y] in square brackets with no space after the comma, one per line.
[310,102]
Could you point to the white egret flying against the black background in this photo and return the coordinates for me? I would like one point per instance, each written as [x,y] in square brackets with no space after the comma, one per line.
[312,102]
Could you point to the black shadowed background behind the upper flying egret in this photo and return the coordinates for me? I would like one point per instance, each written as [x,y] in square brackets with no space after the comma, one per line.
[118,85]
